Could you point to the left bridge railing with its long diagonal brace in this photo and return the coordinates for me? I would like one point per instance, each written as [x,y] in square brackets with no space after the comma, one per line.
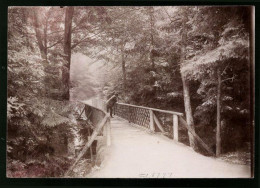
[96,119]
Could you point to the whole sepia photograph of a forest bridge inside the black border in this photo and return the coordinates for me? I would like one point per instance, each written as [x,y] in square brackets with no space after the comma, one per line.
[130,92]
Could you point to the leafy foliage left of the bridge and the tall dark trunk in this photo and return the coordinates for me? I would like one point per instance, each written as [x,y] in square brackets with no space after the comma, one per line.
[39,123]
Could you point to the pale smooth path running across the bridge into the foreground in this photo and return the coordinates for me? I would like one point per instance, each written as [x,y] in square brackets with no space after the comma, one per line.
[136,153]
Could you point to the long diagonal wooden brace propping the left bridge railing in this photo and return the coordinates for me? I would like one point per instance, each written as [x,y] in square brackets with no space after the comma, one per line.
[88,144]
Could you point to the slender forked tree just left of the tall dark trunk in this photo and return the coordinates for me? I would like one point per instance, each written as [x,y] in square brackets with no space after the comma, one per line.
[46,23]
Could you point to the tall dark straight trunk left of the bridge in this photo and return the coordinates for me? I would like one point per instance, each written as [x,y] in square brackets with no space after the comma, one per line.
[67,51]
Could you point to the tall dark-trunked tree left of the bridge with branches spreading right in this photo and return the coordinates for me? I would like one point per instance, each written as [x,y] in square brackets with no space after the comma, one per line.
[83,29]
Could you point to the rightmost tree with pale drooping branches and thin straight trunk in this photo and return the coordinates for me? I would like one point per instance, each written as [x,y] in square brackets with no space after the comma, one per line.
[222,46]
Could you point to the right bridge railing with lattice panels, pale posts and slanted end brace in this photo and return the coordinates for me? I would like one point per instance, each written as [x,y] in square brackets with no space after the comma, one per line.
[170,123]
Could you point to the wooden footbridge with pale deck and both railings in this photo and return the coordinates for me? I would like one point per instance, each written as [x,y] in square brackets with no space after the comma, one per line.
[146,142]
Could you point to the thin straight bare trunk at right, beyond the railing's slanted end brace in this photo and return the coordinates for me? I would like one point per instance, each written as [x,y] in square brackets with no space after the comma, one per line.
[218,137]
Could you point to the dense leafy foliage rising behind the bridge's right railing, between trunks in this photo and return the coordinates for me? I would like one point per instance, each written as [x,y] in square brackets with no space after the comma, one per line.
[217,37]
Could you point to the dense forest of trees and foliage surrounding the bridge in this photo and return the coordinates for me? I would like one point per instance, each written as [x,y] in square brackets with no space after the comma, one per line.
[196,60]
